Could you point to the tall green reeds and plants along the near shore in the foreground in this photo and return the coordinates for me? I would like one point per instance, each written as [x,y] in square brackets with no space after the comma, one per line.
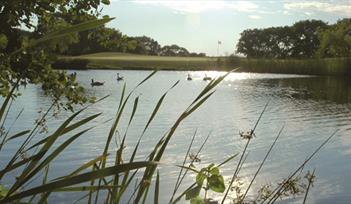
[109,183]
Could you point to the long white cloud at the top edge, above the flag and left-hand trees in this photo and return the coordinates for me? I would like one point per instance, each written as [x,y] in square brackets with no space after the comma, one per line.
[197,6]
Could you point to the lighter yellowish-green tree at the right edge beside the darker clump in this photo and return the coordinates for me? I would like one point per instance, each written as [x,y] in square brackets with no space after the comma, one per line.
[336,41]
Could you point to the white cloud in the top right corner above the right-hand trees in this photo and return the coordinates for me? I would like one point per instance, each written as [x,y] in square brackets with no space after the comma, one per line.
[335,7]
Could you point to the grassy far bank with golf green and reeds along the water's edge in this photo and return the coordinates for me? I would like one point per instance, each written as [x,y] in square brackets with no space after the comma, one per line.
[329,66]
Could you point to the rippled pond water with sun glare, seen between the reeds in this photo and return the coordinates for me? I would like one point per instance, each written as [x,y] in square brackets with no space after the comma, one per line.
[310,107]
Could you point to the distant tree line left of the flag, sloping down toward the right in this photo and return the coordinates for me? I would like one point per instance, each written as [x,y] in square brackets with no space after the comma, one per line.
[105,39]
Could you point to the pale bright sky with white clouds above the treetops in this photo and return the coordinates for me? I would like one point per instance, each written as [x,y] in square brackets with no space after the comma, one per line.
[198,25]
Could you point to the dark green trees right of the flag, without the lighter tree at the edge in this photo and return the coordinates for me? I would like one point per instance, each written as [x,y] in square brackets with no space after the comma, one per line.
[298,41]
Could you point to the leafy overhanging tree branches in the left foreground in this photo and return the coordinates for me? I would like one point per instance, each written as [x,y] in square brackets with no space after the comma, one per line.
[20,63]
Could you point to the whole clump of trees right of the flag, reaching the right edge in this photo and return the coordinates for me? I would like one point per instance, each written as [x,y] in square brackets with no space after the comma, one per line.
[304,39]
